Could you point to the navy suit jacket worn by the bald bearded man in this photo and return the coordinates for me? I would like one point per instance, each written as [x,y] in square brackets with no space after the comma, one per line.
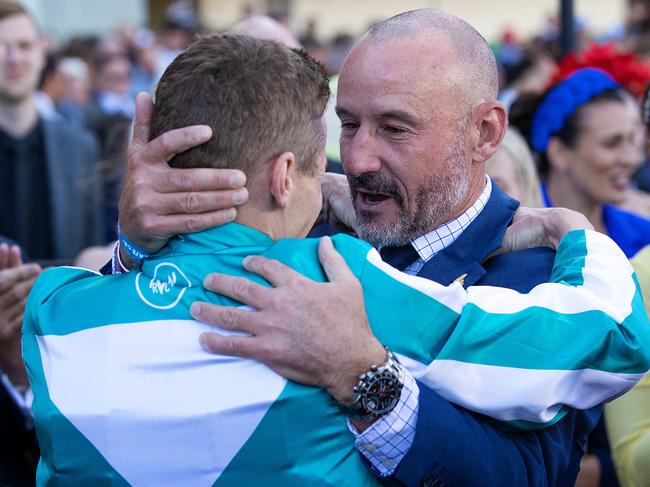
[457,448]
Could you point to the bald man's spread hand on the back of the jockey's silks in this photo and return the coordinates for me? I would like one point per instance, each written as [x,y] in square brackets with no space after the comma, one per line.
[309,332]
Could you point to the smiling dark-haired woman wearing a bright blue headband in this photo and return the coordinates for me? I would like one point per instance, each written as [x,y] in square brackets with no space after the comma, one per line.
[587,135]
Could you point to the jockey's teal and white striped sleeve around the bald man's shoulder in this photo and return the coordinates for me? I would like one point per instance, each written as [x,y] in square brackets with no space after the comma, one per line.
[521,358]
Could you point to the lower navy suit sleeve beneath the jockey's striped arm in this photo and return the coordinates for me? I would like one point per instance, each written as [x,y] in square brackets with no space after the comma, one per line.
[456,448]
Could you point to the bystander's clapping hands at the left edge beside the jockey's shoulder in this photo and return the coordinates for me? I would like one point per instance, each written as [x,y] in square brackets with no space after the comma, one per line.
[16,280]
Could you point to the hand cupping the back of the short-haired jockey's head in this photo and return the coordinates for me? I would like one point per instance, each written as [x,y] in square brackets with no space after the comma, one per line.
[158,201]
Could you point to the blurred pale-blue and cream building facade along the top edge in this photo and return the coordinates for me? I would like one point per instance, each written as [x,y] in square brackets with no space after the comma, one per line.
[66,18]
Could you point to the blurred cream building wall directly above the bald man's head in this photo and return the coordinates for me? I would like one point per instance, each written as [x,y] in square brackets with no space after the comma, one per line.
[344,16]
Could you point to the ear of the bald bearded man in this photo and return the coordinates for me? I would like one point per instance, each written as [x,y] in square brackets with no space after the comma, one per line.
[492,121]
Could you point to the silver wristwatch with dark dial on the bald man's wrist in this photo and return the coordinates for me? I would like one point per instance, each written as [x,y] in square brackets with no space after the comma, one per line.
[377,392]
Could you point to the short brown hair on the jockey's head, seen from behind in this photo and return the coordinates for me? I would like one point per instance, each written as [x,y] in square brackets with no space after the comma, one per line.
[261,99]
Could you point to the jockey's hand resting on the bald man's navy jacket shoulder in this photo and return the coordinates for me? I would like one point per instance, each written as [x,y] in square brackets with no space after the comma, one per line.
[541,227]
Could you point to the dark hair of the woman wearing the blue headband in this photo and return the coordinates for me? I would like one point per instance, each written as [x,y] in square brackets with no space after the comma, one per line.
[524,108]
